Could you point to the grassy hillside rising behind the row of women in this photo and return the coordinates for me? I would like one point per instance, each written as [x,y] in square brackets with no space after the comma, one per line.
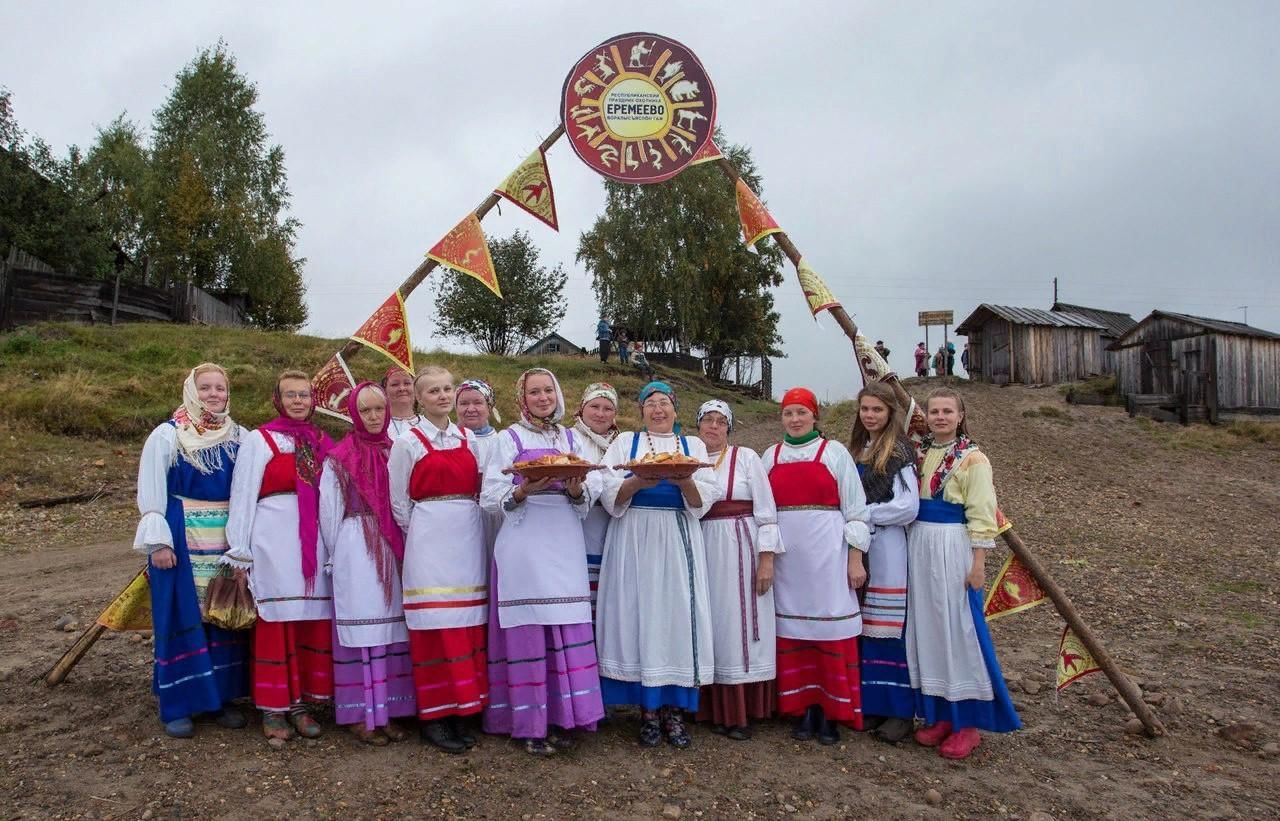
[118,384]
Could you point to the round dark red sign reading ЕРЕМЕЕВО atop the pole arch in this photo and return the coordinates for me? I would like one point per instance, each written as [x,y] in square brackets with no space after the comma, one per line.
[638,108]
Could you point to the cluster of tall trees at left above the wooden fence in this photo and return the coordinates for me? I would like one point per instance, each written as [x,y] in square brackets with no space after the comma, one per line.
[204,203]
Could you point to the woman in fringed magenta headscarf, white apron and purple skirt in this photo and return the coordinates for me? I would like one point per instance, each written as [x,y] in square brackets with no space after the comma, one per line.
[373,676]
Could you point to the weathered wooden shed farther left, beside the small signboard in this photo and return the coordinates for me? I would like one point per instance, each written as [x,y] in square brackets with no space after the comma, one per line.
[1031,346]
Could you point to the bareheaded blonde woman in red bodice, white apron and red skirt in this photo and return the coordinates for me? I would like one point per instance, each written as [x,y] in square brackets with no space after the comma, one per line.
[436,492]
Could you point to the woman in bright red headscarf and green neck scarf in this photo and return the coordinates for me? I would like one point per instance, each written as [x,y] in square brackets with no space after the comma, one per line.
[822,514]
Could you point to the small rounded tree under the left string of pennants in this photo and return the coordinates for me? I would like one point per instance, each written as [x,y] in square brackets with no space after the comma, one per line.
[532,304]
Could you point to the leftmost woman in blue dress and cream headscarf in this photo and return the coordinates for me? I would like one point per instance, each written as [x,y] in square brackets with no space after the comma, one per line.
[185,482]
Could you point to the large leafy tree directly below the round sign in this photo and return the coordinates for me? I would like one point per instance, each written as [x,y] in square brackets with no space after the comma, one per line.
[669,263]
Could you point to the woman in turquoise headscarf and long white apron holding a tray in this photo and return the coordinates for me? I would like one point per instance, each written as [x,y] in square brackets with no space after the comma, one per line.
[653,617]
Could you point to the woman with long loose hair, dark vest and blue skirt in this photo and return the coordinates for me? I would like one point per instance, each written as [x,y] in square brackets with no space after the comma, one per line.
[886,463]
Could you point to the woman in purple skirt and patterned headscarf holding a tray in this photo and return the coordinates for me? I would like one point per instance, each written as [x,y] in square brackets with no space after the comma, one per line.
[543,677]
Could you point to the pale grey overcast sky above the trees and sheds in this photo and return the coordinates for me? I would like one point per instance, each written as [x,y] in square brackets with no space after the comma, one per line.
[922,156]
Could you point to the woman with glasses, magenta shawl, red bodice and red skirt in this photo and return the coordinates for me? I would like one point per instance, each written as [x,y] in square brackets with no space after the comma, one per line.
[273,532]
